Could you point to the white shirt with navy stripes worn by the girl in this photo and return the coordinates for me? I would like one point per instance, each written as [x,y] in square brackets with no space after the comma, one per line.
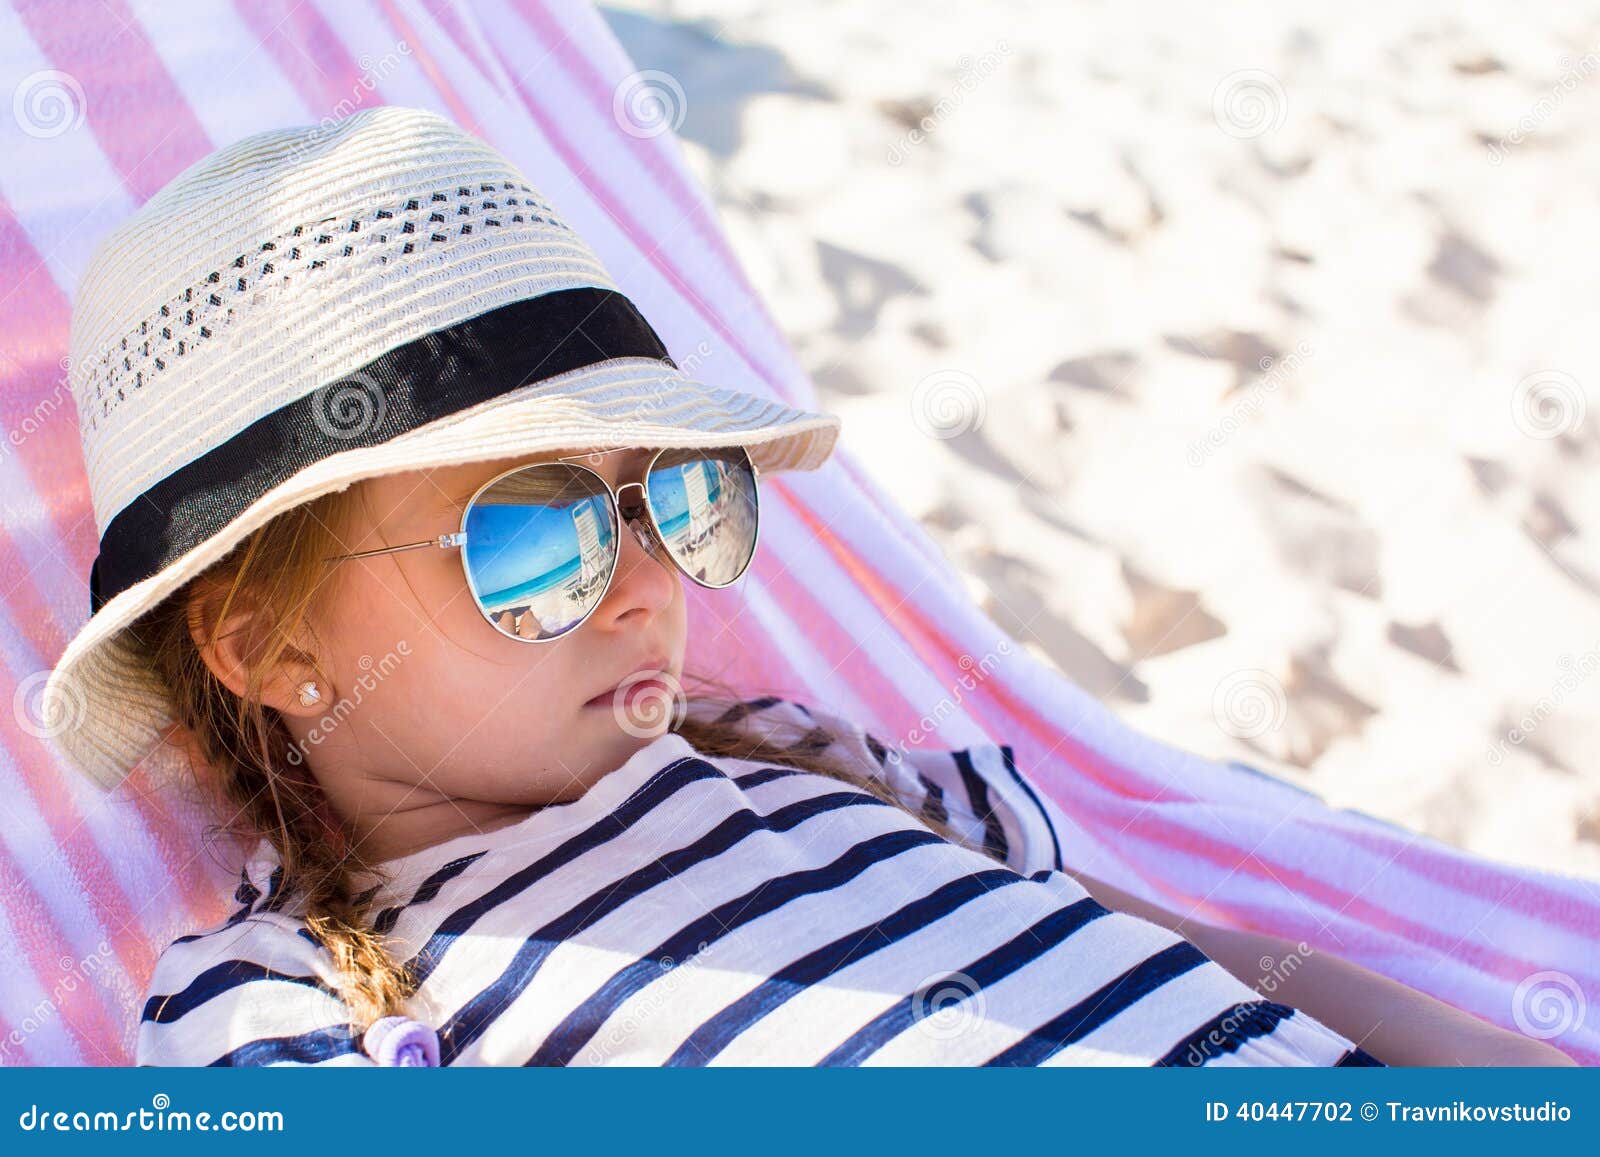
[719,911]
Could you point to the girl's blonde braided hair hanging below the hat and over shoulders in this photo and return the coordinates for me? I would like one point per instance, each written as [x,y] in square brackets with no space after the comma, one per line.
[246,763]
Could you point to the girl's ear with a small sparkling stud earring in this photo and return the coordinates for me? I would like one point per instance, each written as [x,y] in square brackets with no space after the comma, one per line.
[234,646]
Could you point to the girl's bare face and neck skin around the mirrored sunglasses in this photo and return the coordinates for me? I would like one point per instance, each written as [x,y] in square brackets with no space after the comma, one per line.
[442,726]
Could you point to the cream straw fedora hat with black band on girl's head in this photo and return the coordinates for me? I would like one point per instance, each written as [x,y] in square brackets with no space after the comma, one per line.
[313,306]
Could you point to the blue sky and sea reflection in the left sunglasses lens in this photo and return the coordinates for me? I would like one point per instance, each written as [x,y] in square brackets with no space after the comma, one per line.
[527,546]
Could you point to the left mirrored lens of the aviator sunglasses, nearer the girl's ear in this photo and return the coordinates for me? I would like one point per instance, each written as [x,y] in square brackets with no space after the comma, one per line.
[542,546]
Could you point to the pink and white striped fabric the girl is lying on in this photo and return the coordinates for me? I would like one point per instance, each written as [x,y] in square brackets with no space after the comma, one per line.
[849,606]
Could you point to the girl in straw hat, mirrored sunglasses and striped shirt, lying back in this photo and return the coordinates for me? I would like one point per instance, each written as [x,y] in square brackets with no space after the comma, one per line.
[396,498]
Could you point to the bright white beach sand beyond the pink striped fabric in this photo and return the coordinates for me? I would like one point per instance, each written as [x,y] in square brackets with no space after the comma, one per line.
[1242,361]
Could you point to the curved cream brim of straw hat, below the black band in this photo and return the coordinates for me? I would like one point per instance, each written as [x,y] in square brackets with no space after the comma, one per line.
[105,708]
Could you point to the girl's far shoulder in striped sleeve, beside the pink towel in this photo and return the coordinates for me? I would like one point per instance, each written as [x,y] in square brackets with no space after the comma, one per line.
[975,791]
